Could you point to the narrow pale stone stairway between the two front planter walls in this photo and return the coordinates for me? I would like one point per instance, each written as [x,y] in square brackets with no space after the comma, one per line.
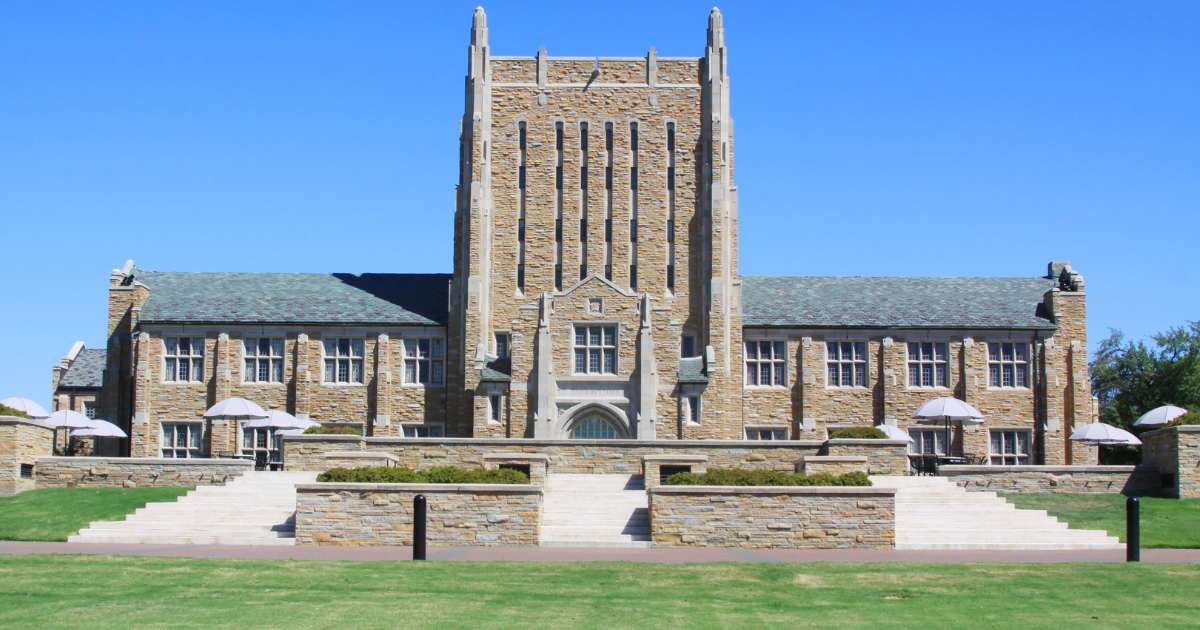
[596,512]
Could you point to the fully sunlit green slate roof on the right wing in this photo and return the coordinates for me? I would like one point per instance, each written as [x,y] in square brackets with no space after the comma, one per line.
[946,303]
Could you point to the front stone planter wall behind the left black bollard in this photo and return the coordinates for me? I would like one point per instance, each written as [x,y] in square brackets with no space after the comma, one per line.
[382,514]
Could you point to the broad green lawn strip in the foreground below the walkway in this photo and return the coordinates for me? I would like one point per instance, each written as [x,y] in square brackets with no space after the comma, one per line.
[106,592]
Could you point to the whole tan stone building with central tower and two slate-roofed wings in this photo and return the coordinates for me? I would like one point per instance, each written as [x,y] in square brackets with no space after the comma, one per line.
[596,295]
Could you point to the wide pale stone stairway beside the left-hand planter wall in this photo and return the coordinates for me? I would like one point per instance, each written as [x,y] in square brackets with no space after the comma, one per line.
[255,509]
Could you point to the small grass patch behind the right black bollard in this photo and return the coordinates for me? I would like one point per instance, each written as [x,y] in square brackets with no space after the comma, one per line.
[1165,523]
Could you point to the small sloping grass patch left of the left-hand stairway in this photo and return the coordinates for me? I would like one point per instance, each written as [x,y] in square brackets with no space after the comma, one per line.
[55,514]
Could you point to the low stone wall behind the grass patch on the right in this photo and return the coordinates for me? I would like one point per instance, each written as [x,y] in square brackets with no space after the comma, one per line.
[1072,479]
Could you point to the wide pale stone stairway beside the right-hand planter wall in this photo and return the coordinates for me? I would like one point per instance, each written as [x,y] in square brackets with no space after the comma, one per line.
[937,514]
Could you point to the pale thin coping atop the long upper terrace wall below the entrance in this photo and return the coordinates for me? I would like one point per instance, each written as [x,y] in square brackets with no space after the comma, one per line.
[627,443]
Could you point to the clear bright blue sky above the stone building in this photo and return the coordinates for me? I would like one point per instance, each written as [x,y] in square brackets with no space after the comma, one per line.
[873,139]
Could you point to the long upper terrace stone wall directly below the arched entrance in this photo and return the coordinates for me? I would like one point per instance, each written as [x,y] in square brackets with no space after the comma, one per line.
[305,453]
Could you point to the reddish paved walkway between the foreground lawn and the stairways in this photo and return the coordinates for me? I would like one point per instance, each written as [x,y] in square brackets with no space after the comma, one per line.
[667,556]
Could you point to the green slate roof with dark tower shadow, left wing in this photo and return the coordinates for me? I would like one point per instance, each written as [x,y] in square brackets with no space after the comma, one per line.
[296,298]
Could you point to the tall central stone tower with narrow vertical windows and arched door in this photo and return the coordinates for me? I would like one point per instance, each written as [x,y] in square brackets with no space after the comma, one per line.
[596,286]
